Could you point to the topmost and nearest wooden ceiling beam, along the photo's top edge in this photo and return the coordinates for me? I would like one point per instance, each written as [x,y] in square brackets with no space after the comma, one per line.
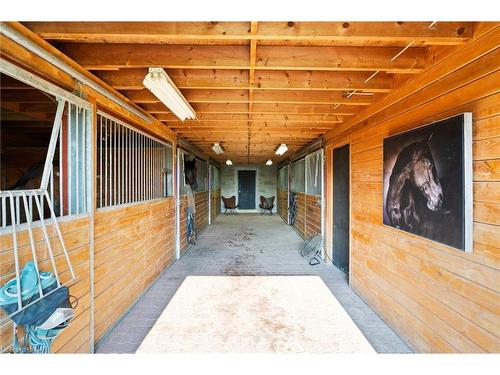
[351,33]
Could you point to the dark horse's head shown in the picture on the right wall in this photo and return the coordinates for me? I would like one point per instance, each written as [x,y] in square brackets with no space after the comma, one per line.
[414,186]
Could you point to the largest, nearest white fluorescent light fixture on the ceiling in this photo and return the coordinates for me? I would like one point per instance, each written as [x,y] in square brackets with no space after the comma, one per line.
[159,83]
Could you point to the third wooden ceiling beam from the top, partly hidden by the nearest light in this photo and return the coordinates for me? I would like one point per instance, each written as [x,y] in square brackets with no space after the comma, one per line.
[131,79]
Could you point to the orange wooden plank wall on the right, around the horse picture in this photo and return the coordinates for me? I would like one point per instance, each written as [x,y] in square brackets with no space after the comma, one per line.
[438,298]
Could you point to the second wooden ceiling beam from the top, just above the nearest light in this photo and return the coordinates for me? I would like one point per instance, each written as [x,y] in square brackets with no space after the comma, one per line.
[115,56]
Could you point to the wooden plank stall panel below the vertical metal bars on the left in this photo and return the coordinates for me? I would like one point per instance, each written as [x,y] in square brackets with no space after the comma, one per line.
[133,244]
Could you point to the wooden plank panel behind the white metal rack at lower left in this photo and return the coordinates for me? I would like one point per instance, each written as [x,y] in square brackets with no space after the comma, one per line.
[76,338]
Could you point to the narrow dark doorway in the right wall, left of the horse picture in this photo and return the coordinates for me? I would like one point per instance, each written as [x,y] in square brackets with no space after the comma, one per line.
[341,208]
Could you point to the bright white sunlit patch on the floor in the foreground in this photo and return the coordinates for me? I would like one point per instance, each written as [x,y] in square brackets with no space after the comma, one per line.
[254,314]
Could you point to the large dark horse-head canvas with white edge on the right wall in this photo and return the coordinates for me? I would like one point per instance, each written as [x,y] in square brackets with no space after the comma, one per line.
[428,181]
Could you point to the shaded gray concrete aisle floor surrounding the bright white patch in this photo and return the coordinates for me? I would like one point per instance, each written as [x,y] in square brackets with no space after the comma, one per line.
[245,245]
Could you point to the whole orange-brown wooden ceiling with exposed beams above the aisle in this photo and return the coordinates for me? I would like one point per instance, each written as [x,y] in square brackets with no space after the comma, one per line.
[255,85]
